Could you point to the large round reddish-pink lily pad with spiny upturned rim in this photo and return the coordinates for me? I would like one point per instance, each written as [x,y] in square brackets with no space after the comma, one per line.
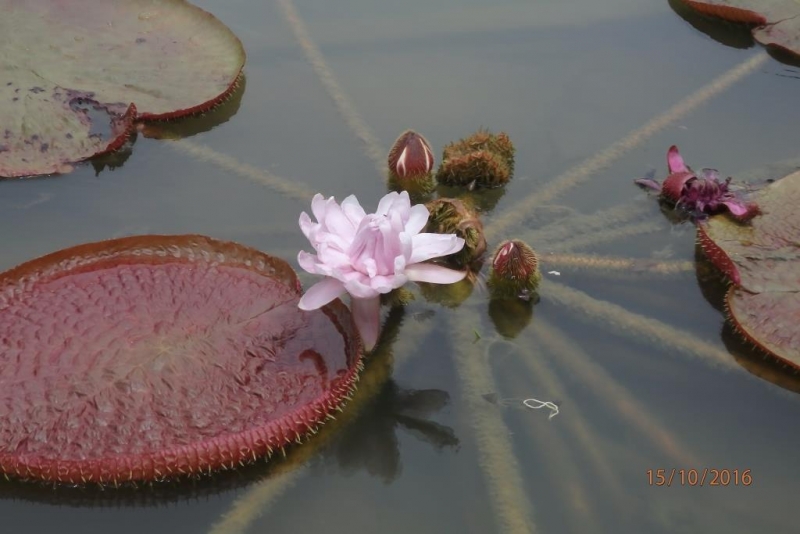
[154,356]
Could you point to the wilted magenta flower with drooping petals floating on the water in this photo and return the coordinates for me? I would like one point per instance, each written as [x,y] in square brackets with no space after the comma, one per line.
[699,195]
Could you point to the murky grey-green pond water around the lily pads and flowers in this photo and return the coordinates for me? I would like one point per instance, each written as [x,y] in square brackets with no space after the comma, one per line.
[644,372]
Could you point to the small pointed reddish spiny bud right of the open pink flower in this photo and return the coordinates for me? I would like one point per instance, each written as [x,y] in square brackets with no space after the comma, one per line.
[515,271]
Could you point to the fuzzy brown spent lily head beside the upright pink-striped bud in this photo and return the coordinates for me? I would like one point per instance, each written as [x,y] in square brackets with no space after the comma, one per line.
[483,159]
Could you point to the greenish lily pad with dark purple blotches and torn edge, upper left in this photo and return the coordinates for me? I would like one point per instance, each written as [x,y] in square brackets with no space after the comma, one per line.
[75,75]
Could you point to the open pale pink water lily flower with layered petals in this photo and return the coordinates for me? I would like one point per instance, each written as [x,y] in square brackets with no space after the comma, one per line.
[370,254]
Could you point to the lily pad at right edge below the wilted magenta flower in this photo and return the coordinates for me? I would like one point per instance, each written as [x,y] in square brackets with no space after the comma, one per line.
[763,261]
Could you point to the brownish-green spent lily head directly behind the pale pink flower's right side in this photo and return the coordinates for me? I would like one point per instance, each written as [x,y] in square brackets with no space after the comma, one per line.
[452,216]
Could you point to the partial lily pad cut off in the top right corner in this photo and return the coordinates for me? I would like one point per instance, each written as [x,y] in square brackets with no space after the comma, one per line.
[776,22]
